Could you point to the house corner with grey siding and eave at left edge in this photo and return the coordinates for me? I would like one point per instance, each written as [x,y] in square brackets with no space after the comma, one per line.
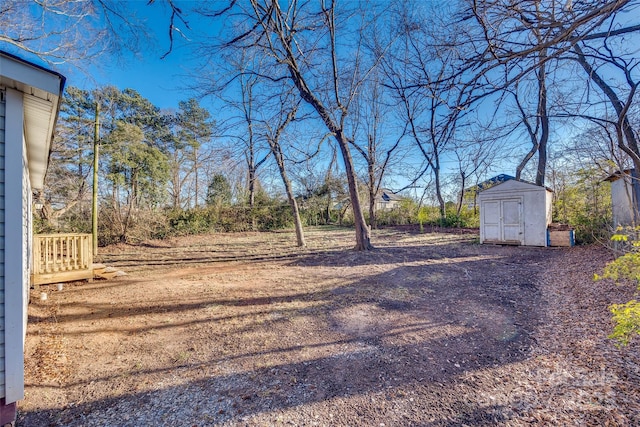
[29,101]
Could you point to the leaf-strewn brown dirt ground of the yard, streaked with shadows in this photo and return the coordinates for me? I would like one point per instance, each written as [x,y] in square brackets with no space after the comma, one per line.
[429,329]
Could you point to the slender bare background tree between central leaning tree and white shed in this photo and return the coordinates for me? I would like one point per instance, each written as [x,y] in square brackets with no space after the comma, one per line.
[430,97]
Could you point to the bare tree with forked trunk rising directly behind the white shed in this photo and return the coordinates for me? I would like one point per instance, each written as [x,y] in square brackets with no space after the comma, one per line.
[524,38]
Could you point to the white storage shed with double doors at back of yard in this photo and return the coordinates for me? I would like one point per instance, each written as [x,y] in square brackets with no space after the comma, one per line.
[515,213]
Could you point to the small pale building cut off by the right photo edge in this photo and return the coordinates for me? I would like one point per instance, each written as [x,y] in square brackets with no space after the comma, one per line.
[625,188]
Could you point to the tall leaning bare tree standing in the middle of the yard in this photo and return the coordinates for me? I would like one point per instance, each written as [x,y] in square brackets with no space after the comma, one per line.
[319,48]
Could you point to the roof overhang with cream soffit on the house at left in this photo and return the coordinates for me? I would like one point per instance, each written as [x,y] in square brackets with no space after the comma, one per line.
[42,94]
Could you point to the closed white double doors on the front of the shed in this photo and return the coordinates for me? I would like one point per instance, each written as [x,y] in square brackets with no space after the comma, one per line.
[502,220]
